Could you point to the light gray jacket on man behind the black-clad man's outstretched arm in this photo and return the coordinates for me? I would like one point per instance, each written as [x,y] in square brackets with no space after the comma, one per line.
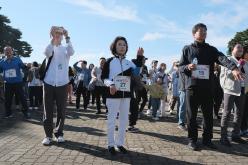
[227,81]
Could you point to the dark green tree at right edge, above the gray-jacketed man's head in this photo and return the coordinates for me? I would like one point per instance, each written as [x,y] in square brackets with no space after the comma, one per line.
[240,37]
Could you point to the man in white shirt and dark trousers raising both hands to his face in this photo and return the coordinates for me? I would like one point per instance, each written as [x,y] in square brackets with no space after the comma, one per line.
[55,84]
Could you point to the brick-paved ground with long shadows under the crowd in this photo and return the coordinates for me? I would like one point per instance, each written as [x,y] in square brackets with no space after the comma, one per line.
[156,143]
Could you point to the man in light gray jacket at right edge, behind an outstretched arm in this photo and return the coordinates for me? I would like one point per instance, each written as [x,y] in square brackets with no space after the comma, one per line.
[234,94]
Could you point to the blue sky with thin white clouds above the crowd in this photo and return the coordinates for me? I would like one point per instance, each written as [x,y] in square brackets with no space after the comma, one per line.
[161,27]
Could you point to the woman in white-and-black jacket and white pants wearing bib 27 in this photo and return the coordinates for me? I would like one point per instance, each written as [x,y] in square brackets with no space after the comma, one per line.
[116,73]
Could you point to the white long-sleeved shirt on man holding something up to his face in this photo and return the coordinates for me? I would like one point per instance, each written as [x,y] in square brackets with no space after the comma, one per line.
[57,74]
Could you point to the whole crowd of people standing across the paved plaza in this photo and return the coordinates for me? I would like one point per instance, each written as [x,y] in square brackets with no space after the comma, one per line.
[202,80]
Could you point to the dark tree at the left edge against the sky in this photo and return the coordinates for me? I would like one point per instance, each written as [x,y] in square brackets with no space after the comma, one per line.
[12,37]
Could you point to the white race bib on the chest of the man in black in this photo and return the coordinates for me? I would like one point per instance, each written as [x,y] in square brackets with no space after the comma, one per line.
[201,72]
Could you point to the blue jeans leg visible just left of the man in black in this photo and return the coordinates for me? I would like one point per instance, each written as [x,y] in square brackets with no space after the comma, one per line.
[182,108]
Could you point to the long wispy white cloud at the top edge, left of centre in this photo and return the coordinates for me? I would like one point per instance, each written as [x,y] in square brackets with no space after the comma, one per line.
[111,10]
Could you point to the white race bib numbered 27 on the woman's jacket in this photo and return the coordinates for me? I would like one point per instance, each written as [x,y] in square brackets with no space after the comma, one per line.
[122,83]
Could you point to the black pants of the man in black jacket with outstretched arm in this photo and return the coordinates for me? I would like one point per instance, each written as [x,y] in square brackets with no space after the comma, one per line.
[194,98]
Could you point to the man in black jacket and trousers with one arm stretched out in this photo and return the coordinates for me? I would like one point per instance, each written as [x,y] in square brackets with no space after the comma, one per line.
[197,64]
